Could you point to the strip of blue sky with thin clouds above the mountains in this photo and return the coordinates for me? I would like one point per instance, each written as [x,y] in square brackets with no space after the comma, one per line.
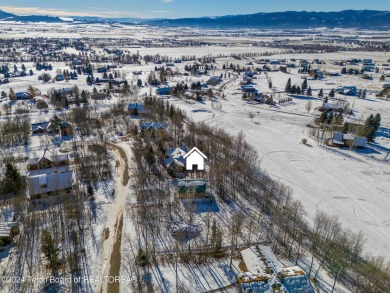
[179,8]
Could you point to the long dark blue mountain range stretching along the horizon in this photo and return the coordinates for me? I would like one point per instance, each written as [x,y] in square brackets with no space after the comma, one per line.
[361,19]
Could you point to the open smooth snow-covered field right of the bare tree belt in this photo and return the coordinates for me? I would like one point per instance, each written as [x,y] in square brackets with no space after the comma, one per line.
[350,185]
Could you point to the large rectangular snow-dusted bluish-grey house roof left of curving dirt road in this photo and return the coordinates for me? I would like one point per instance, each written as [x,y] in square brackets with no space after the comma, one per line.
[49,182]
